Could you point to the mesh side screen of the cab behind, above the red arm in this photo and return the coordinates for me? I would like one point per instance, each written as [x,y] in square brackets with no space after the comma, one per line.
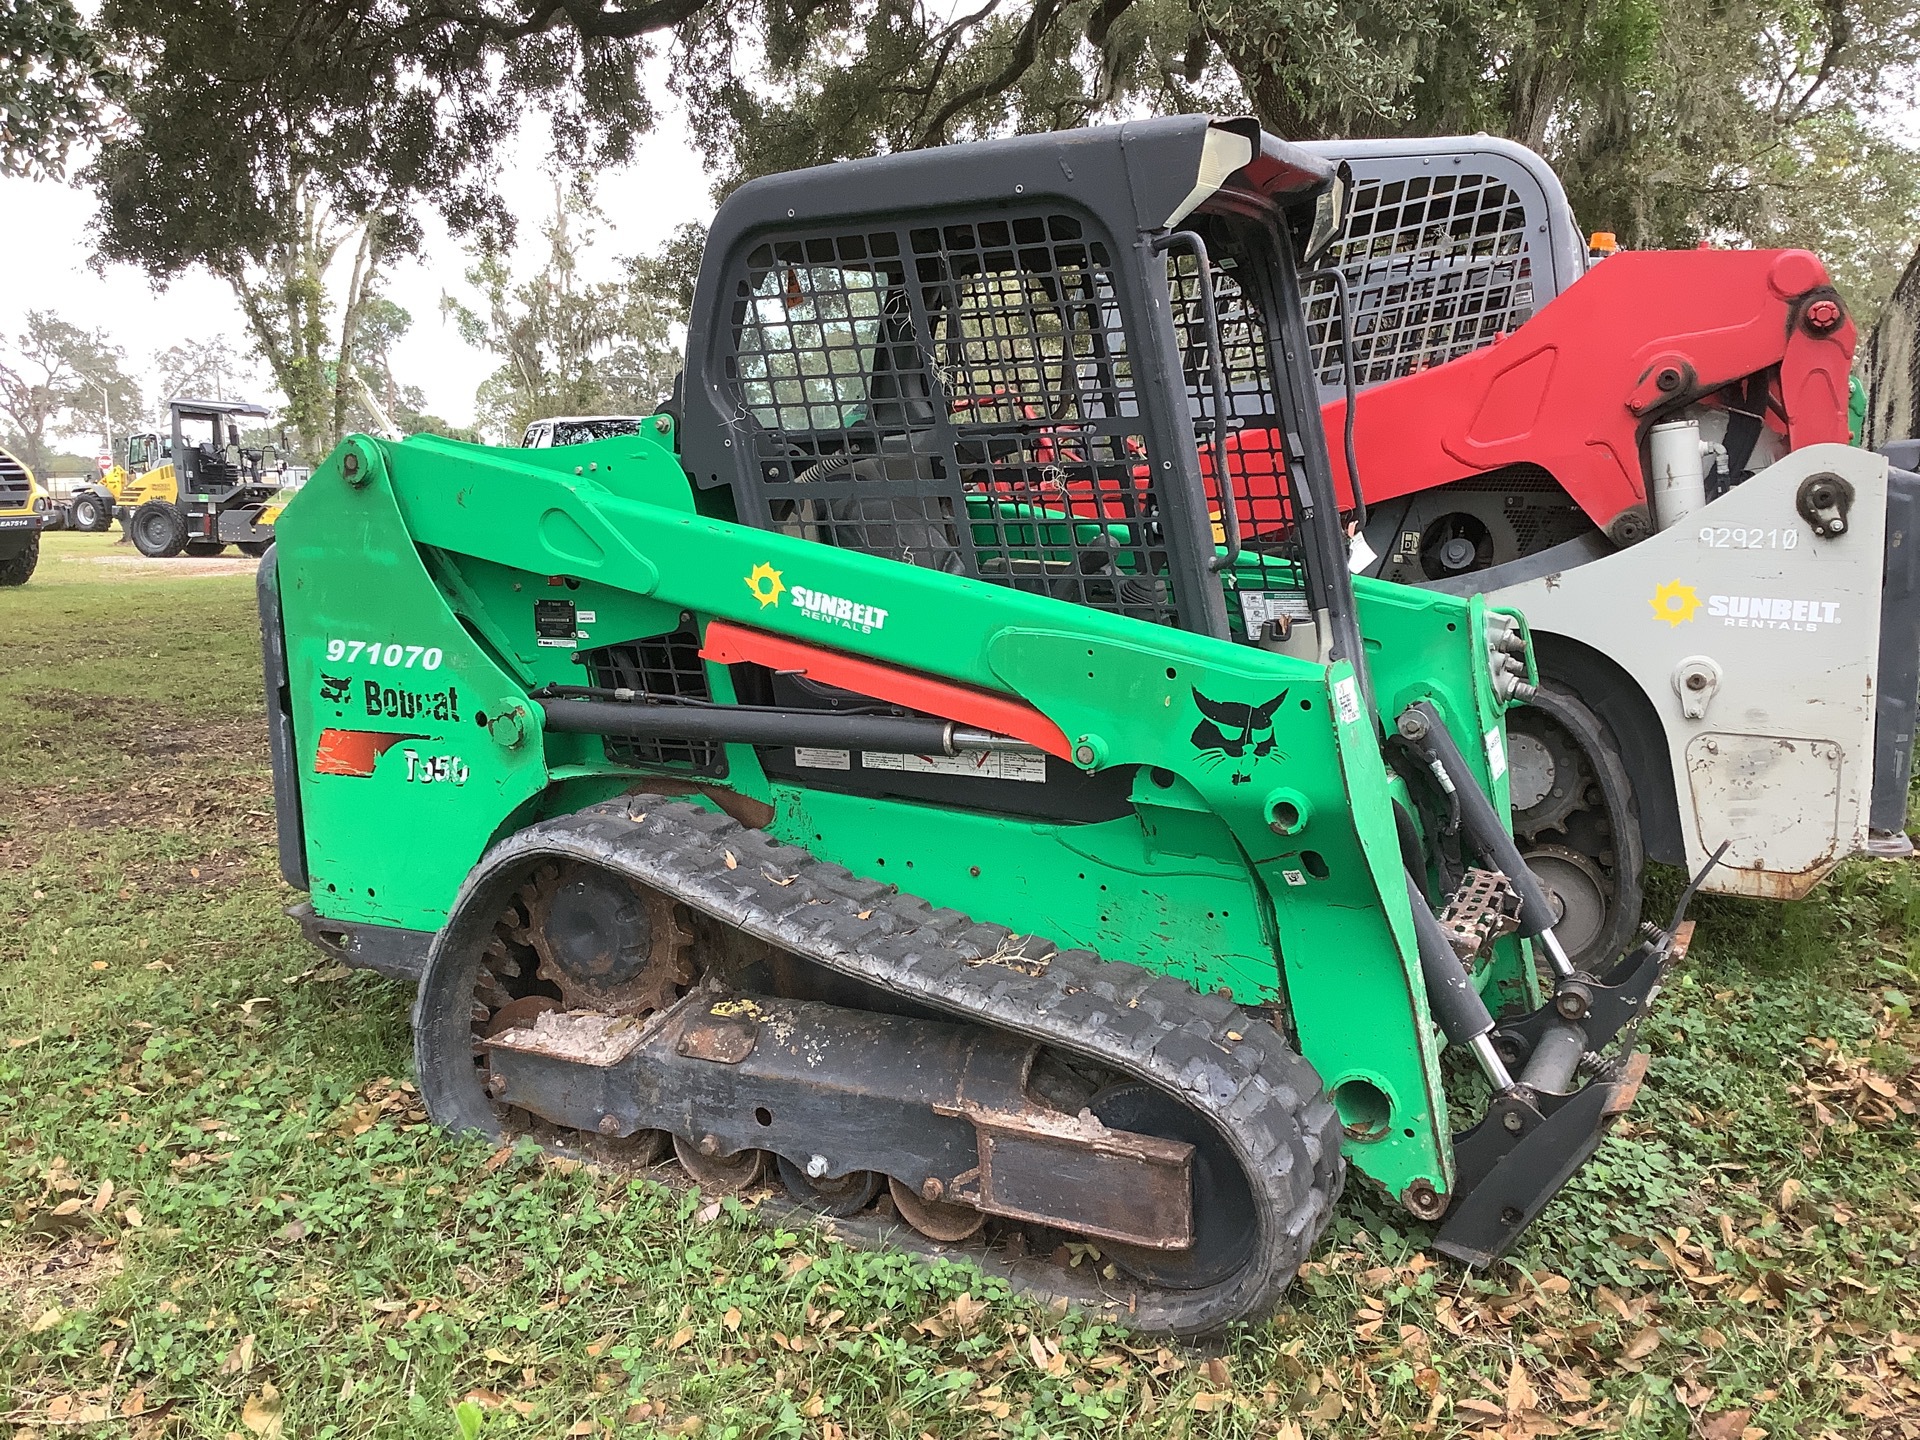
[1437,266]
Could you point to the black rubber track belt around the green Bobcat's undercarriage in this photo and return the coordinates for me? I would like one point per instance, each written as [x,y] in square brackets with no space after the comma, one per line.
[1220,1059]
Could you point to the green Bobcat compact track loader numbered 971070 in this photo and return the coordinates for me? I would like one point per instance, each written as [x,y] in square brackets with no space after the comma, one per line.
[888,769]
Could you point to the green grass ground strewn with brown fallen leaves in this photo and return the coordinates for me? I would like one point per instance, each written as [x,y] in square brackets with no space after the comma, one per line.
[222,1211]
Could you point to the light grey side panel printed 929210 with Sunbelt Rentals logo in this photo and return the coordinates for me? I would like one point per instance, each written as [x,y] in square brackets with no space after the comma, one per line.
[1783,631]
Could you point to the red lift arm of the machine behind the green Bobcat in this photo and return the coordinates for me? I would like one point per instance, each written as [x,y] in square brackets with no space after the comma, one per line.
[1754,345]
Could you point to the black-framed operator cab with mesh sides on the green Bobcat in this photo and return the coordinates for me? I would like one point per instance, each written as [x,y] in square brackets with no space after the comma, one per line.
[1028,360]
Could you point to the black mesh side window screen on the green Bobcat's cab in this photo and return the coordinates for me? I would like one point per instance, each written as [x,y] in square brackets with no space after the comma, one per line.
[953,396]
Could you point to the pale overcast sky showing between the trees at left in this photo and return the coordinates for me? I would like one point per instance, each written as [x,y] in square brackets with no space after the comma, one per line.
[45,254]
